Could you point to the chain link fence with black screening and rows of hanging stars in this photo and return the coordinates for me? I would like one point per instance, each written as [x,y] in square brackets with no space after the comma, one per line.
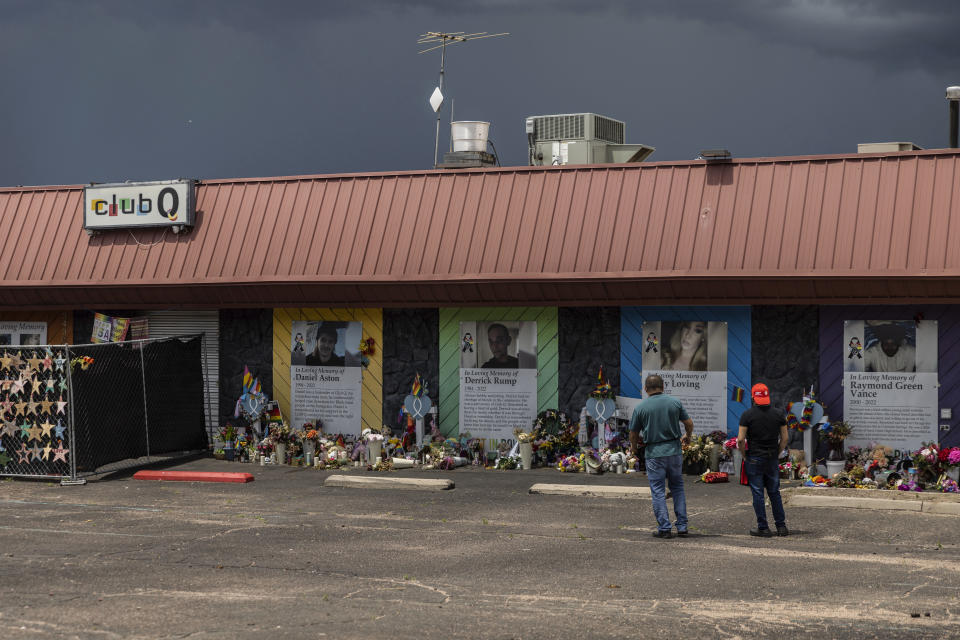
[74,411]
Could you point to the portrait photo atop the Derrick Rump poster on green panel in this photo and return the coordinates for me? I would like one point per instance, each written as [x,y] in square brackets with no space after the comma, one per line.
[507,344]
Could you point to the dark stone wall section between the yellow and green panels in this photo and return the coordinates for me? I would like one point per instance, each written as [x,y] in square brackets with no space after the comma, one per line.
[410,345]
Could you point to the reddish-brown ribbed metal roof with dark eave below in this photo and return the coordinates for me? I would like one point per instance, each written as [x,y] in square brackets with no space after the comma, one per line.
[805,229]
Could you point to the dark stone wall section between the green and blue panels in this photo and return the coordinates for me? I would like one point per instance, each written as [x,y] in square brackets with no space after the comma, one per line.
[589,337]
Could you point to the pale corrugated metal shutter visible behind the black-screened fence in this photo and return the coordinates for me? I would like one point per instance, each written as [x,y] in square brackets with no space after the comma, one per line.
[166,324]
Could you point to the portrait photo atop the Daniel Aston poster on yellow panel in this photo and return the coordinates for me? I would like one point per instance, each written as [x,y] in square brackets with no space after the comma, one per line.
[325,343]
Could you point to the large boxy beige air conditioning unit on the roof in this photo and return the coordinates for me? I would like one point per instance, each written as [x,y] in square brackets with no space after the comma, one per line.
[580,138]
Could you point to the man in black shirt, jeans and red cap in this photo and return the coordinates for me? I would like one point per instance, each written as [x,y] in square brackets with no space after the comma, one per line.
[762,436]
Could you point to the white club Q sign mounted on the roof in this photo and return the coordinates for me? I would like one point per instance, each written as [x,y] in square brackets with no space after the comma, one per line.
[127,205]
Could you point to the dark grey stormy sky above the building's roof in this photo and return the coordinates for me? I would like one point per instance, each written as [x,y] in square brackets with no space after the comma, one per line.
[126,89]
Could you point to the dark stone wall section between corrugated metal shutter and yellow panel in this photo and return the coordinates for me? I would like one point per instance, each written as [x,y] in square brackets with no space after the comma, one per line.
[246,338]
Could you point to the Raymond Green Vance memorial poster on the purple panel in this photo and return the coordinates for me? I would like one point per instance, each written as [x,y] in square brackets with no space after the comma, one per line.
[890,382]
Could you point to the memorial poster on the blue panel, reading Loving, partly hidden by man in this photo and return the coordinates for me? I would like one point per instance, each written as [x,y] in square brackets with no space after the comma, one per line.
[691,357]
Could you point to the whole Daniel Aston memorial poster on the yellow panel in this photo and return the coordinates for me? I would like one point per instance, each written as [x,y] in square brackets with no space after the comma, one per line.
[326,376]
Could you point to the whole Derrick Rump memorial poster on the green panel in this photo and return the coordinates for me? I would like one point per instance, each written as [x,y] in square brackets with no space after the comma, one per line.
[498,379]
